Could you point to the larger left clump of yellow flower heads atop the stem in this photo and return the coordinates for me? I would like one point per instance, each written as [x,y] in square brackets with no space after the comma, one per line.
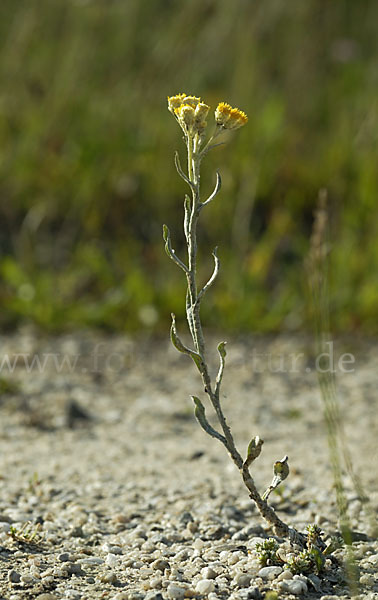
[190,112]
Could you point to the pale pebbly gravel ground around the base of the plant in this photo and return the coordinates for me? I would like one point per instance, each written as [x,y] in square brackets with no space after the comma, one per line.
[110,489]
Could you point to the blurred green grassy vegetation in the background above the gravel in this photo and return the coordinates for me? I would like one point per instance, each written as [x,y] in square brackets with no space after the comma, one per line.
[87,175]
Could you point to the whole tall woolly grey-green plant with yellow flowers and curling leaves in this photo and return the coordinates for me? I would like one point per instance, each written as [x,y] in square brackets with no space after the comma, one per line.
[191,114]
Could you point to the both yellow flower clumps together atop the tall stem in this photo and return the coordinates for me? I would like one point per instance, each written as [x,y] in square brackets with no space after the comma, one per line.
[191,114]
